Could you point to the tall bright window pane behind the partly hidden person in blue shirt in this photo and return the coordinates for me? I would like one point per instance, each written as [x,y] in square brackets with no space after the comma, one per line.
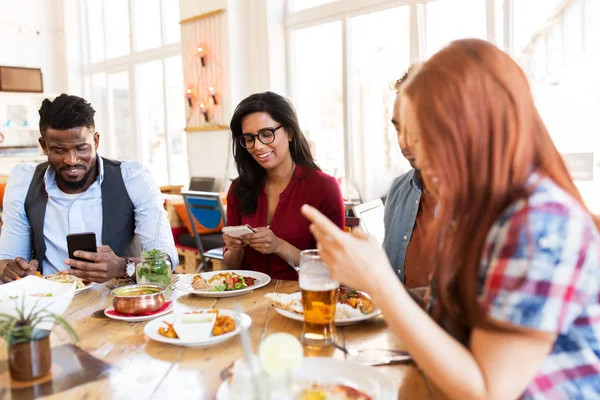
[378,58]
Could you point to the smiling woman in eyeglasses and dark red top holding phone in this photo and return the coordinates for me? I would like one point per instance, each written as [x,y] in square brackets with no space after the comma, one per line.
[277,175]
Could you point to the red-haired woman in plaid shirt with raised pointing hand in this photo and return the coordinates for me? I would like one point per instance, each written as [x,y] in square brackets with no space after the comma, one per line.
[515,252]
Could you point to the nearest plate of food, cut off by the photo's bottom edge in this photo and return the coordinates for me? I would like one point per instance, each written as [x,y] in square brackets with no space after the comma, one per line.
[323,378]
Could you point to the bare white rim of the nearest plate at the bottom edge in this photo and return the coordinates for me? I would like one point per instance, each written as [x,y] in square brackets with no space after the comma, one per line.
[331,371]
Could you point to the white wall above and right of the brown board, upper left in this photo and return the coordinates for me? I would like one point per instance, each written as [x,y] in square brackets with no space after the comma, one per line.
[32,35]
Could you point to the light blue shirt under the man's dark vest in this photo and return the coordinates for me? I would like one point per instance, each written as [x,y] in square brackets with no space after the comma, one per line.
[78,213]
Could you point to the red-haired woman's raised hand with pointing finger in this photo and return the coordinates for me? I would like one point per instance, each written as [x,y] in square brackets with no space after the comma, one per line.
[354,259]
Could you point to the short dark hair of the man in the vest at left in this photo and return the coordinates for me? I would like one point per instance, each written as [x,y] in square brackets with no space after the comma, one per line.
[66,112]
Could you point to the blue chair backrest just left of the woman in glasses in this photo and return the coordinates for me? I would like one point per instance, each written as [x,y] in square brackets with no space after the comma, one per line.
[207,209]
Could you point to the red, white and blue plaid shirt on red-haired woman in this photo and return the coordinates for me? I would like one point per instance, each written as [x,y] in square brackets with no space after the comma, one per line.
[540,269]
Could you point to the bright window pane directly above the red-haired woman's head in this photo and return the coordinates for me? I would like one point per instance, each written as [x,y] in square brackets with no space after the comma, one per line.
[448,20]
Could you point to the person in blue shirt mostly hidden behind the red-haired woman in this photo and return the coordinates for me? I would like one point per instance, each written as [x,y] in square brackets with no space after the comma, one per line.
[409,208]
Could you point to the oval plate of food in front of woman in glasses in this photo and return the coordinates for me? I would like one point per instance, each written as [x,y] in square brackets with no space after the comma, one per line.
[222,283]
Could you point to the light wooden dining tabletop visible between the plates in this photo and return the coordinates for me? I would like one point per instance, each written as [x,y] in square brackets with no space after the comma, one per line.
[144,369]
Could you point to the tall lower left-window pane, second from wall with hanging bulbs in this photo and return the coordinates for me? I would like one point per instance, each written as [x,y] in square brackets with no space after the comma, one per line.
[151,119]
